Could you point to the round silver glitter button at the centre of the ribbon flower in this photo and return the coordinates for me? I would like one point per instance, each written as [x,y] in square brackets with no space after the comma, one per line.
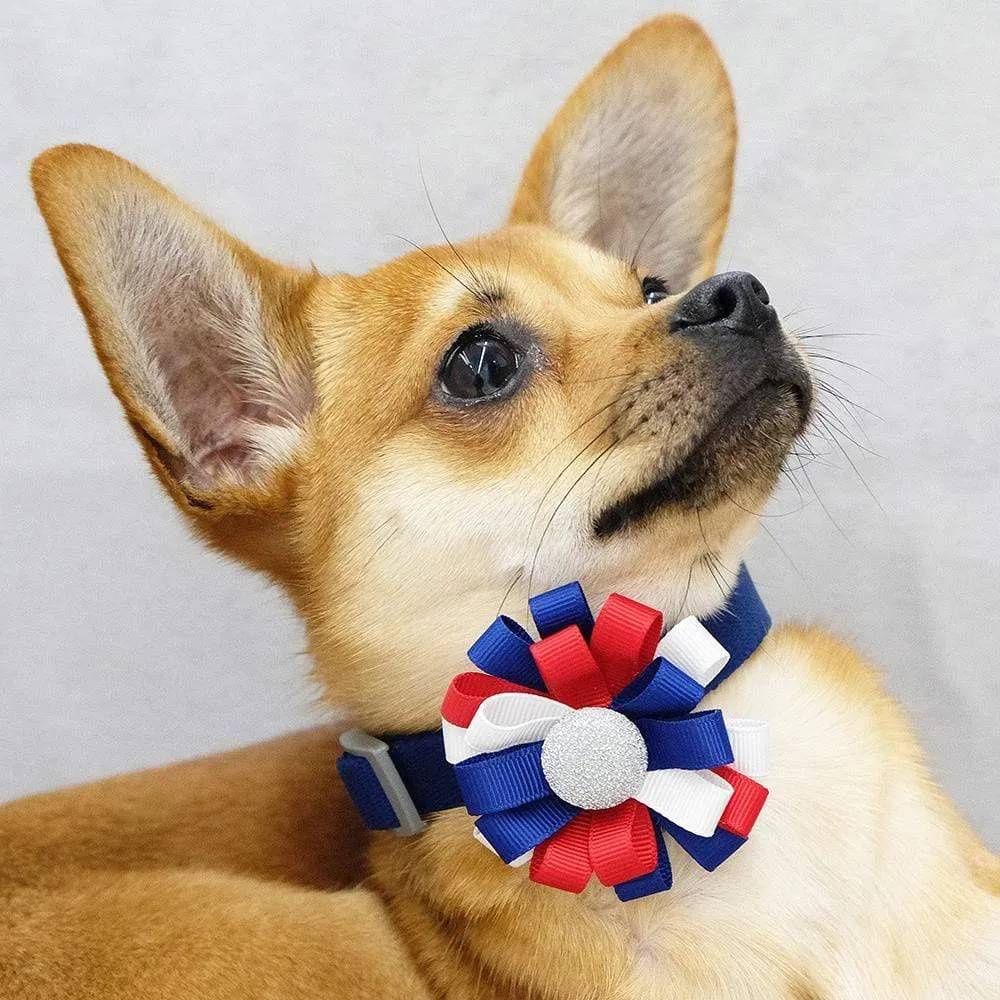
[594,758]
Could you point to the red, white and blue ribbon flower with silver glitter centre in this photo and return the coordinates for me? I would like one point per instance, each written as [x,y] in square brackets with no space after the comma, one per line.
[579,750]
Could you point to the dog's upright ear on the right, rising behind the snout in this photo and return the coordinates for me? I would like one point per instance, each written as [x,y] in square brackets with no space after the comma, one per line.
[639,161]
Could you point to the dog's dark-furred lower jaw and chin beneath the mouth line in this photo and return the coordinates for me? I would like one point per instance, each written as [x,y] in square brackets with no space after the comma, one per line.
[735,460]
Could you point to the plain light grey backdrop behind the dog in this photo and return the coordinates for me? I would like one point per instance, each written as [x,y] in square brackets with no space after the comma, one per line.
[866,197]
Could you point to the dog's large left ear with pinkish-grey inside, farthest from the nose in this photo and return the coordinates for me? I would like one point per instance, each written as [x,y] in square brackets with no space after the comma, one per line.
[199,336]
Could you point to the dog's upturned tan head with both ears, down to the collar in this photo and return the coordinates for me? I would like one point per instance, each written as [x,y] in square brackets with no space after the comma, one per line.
[415,449]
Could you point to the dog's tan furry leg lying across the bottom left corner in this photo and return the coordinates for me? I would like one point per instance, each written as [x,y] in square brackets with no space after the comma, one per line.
[205,935]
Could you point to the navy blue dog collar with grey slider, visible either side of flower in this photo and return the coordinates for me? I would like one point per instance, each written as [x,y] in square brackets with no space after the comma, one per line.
[395,781]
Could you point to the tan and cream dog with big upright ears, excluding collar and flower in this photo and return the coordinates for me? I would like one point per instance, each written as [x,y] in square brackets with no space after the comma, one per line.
[407,452]
